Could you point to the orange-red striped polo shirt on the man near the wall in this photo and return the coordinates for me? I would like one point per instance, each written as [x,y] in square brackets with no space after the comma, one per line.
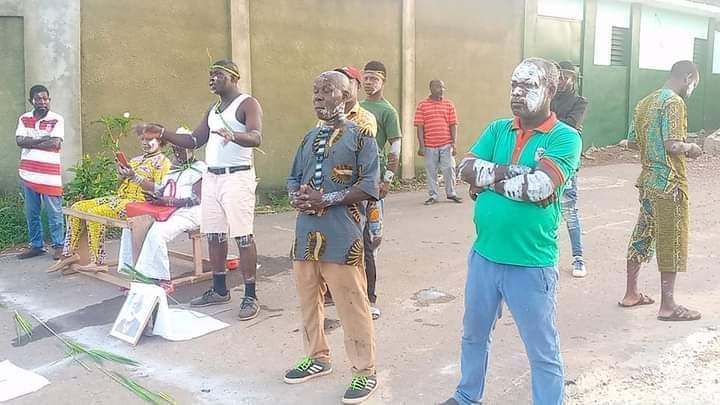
[436,117]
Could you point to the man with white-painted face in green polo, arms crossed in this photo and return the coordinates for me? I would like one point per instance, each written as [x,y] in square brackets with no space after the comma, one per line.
[515,170]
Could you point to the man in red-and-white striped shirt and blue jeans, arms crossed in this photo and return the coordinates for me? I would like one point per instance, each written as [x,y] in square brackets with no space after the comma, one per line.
[40,133]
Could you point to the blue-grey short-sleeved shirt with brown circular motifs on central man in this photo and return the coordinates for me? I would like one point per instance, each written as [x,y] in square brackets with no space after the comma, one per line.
[334,160]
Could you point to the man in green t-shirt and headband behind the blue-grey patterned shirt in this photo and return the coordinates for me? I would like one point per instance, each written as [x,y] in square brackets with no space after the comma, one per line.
[388,132]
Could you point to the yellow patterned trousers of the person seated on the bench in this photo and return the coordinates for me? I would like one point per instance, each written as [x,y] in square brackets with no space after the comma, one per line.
[110,207]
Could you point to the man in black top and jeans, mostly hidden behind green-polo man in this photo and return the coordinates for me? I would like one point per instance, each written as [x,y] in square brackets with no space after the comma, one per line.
[570,109]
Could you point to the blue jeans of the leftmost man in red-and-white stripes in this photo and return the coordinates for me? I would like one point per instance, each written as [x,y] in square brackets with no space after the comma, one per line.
[34,202]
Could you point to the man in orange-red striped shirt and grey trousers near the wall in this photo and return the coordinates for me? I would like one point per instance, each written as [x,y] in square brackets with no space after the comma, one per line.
[436,122]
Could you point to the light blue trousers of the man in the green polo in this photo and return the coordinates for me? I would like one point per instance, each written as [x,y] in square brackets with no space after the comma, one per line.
[530,294]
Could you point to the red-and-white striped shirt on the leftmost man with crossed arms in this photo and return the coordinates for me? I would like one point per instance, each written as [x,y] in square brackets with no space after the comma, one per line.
[40,170]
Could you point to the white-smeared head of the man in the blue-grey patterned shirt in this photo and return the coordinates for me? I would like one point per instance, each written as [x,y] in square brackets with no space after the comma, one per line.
[331,91]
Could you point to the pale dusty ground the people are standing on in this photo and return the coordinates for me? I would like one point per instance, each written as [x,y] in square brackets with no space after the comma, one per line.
[611,355]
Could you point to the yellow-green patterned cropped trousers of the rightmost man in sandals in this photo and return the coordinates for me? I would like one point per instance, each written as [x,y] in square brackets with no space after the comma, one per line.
[662,227]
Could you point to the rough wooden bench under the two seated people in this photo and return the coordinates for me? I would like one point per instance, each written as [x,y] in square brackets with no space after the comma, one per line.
[139,227]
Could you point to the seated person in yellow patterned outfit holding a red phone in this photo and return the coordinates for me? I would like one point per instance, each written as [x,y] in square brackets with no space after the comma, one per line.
[141,175]
